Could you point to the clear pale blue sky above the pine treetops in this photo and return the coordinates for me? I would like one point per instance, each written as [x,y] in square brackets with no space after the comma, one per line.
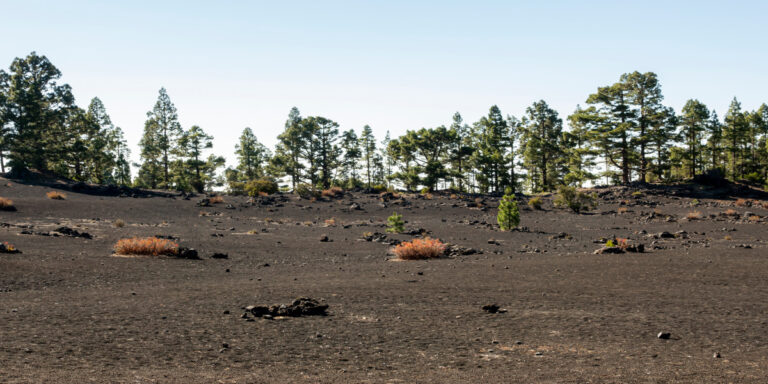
[395,65]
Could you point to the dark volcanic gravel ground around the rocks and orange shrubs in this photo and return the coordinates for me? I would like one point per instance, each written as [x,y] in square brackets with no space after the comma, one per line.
[72,313]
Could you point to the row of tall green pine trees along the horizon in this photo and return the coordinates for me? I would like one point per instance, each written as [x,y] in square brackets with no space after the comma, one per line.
[623,133]
